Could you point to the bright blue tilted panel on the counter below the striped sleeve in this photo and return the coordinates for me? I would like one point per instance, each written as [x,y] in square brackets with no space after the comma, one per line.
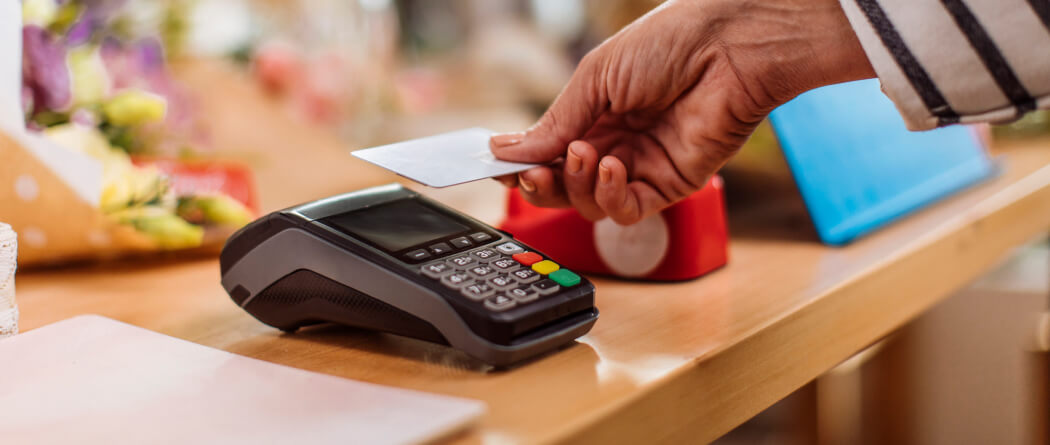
[859,168]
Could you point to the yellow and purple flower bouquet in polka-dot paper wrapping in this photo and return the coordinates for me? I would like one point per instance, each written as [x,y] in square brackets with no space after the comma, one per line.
[100,147]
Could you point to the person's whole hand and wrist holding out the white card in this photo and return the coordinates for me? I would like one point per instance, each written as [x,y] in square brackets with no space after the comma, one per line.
[652,114]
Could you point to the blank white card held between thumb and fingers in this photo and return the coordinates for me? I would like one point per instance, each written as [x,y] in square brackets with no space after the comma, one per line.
[443,160]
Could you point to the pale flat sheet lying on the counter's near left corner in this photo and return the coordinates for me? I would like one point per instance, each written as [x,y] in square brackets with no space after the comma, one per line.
[93,380]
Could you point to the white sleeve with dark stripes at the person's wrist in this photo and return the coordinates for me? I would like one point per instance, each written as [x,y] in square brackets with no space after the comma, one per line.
[958,61]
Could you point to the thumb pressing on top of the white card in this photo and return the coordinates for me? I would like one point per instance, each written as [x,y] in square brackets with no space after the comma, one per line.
[574,113]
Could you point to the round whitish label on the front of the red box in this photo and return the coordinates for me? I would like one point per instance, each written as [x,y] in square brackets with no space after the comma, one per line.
[635,250]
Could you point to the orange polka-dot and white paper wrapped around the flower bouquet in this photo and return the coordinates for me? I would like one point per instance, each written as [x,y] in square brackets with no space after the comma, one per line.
[48,195]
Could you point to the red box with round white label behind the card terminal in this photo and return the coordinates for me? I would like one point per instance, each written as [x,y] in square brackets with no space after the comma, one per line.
[684,242]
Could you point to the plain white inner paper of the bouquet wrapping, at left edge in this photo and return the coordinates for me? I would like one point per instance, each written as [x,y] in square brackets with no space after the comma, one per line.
[81,173]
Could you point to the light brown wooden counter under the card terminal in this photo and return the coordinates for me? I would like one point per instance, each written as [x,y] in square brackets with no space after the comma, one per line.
[683,363]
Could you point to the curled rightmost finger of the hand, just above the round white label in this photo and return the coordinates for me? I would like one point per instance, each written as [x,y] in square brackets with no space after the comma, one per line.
[625,203]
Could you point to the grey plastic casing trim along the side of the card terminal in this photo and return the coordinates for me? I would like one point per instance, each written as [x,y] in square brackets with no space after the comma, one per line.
[295,249]
